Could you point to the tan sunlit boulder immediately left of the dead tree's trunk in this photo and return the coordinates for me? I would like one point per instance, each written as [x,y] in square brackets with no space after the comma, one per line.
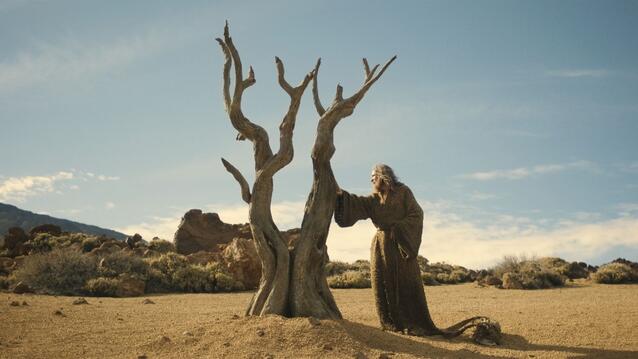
[243,262]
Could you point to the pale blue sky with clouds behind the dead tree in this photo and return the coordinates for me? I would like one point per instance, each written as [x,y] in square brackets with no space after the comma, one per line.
[514,123]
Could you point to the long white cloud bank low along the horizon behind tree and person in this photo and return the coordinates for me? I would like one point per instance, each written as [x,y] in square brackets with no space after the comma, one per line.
[447,236]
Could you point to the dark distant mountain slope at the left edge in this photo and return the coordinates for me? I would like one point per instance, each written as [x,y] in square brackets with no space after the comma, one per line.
[12,216]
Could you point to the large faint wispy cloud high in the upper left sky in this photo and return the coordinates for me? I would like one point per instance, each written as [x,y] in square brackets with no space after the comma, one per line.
[69,60]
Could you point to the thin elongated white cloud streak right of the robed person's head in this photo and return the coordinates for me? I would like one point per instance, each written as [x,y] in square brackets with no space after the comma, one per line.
[524,172]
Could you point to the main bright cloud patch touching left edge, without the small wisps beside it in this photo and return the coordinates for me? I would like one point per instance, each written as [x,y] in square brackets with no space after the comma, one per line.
[19,188]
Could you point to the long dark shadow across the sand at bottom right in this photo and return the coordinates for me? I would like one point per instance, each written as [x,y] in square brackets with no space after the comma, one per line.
[375,338]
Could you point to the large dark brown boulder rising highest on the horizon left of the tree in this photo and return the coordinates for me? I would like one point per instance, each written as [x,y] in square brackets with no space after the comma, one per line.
[199,231]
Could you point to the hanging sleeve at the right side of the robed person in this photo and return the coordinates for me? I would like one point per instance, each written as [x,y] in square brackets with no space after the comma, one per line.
[408,230]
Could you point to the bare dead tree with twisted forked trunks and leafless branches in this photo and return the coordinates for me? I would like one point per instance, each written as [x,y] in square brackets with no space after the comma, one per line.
[293,281]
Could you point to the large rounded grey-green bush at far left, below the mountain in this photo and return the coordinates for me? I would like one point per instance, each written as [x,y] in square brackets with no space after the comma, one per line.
[61,271]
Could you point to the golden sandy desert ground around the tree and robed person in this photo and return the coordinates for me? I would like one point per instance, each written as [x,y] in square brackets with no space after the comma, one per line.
[583,320]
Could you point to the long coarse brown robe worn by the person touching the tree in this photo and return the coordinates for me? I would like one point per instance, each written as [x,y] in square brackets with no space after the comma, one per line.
[396,278]
